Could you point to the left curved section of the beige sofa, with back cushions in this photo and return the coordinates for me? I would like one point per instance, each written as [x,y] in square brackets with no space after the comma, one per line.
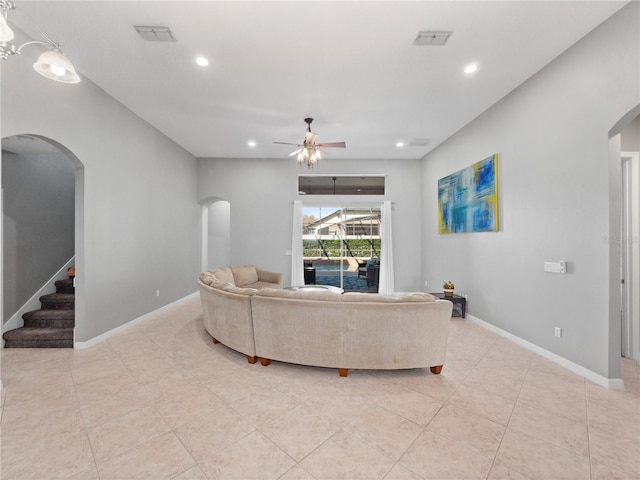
[226,304]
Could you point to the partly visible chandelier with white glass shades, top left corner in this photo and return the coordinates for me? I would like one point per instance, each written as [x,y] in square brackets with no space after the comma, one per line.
[51,64]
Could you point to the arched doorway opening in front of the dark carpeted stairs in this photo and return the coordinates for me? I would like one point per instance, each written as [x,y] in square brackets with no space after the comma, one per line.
[43,221]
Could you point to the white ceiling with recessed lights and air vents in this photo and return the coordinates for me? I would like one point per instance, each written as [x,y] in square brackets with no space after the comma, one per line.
[351,65]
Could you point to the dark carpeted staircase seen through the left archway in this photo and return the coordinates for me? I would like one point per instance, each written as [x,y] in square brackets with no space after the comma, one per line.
[49,327]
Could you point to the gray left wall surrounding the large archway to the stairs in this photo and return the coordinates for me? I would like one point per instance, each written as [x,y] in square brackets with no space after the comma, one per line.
[137,218]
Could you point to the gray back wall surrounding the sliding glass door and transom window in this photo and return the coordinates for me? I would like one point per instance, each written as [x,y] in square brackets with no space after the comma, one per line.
[261,194]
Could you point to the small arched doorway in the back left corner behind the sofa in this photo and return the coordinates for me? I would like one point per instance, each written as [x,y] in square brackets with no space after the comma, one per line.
[215,233]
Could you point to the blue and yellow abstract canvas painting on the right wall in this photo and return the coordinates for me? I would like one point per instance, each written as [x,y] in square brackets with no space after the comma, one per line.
[468,199]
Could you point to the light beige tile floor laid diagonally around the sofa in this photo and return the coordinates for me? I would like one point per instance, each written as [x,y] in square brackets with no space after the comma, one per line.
[161,401]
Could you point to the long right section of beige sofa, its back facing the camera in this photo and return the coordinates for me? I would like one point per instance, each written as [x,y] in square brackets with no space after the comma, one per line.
[351,330]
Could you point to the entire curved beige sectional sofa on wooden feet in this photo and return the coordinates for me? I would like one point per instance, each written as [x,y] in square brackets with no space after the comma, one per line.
[326,329]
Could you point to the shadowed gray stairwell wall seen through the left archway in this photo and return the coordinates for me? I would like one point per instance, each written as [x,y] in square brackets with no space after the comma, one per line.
[38,218]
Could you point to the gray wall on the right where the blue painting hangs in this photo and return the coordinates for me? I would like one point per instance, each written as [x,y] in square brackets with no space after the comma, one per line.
[551,137]
